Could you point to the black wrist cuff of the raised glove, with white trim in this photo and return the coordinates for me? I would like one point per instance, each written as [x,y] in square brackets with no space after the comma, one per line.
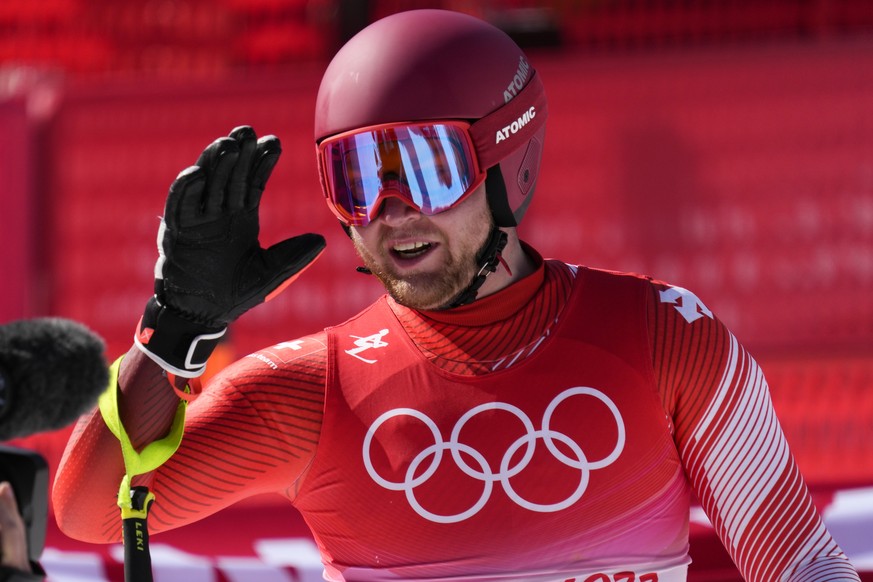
[178,345]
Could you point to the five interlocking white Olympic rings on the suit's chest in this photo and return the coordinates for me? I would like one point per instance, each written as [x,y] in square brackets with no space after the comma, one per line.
[483,471]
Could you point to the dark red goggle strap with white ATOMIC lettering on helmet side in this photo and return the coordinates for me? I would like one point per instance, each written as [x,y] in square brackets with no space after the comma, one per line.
[499,133]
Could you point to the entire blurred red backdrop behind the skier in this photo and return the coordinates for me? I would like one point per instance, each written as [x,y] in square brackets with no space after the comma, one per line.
[724,146]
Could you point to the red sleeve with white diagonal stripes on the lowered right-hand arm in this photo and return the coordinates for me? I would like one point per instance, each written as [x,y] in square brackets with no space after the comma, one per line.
[732,446]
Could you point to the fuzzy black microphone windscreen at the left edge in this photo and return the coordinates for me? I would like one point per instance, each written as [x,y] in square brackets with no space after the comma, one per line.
[52,370]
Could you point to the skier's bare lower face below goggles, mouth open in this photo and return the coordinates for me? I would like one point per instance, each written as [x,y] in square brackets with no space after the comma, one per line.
[424,261]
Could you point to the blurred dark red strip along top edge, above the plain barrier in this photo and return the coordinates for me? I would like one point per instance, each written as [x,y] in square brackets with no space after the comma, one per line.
[204,38]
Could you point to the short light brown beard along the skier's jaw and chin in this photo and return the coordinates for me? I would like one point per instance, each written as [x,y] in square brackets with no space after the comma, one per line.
[431,290]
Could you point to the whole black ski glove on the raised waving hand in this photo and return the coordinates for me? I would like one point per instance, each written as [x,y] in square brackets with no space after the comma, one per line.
[211,268]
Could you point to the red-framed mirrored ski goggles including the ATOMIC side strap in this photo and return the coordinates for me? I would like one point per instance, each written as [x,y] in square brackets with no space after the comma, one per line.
[431,166]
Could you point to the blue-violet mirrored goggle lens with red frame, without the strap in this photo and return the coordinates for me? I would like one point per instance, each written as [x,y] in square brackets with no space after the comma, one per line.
[430,166]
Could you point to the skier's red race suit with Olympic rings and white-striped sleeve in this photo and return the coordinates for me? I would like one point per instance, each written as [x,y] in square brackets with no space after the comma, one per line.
[553,431]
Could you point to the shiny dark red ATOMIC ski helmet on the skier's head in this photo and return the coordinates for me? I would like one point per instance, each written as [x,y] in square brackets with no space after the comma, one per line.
[429,65]
